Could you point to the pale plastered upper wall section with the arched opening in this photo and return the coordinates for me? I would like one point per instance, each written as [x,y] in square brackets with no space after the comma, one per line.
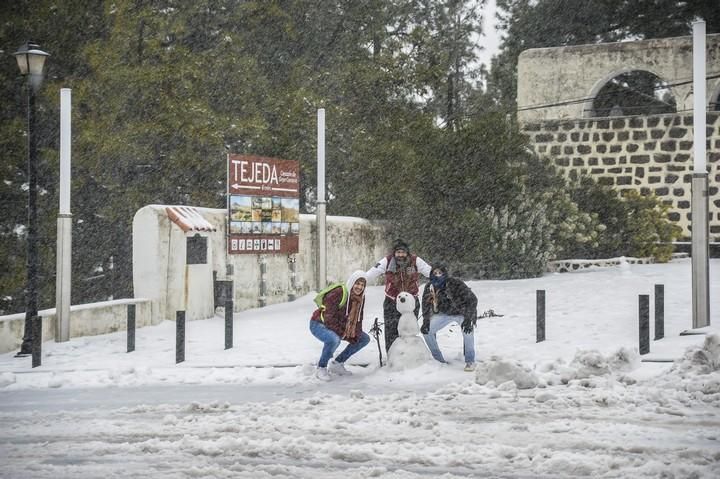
[564,74]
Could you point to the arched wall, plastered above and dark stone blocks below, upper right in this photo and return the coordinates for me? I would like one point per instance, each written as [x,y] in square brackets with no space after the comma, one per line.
[647,153]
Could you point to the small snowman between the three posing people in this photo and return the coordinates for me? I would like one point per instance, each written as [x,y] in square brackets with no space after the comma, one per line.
[408,350]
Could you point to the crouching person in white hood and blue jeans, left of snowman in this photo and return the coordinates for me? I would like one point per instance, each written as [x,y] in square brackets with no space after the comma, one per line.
[339,318]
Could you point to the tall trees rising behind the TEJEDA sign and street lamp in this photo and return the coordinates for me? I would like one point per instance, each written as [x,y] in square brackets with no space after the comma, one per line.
[163,90]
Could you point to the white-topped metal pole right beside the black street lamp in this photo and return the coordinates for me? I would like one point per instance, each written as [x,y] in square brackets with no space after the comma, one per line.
[64,226]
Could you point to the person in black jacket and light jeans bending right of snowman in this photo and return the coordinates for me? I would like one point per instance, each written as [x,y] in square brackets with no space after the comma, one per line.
[449,300]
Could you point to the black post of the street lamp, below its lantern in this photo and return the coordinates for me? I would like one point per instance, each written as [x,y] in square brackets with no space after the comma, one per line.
[31,288]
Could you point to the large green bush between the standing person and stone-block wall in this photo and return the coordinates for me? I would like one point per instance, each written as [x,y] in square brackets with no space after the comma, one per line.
[503,214]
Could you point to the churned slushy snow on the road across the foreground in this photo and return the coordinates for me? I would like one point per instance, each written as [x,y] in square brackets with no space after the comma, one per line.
[593,427]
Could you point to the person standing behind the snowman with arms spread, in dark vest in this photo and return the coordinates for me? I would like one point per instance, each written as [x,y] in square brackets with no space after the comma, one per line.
[402,271]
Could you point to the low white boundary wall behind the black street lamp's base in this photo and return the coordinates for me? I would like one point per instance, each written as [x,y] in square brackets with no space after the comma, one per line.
[85,320]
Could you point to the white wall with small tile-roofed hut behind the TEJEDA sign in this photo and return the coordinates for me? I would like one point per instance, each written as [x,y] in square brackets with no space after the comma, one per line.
[159,269]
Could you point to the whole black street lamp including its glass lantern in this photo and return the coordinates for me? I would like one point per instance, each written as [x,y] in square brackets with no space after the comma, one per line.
[31,61]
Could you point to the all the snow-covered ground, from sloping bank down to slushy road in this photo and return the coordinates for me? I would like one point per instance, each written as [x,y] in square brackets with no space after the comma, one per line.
[580,404]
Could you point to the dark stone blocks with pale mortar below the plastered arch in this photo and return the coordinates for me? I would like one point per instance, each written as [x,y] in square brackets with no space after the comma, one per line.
[651,154]
